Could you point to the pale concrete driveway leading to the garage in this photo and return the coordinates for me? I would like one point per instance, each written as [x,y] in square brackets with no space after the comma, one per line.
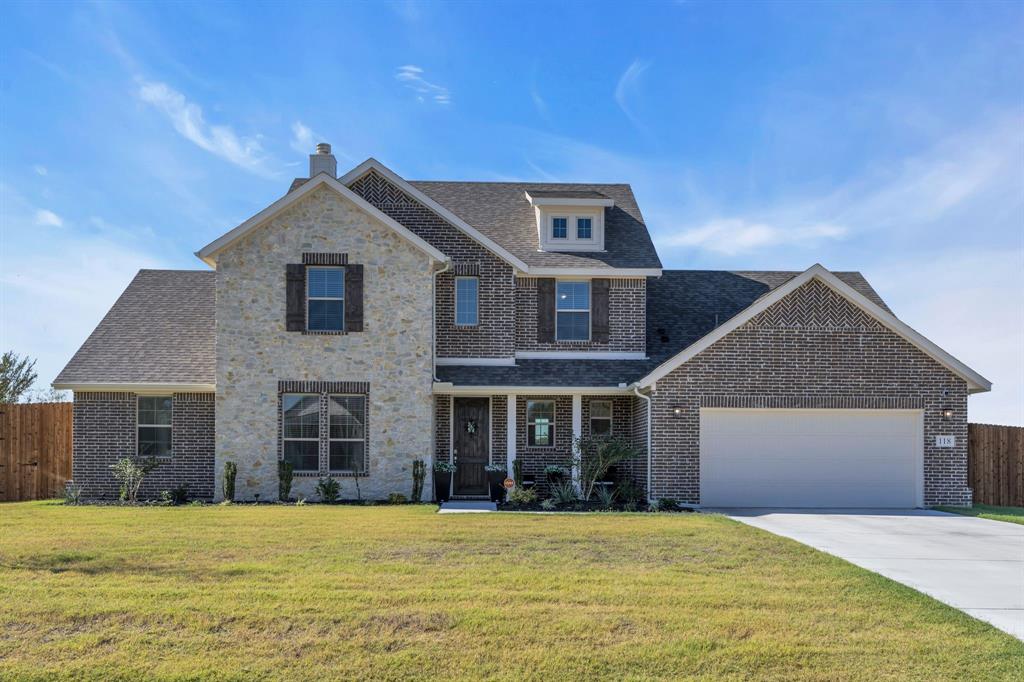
[974,565]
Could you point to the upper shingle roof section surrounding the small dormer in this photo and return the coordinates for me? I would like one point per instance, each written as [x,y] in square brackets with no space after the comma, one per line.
[501,211]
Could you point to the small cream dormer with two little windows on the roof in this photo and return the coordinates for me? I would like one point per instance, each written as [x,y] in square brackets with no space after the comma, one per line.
[570,221]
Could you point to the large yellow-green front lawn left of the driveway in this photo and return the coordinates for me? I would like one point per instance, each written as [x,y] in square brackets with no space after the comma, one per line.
[306,593]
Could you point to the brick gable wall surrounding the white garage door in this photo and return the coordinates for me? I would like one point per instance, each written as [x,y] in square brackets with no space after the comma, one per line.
[812,350]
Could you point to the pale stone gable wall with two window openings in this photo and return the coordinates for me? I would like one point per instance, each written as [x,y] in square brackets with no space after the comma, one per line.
[393,354]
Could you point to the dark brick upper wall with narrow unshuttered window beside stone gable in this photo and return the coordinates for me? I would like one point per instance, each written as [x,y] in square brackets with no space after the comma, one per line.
[493,337]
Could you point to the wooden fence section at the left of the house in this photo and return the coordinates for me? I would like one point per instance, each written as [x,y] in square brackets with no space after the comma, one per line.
[35,451]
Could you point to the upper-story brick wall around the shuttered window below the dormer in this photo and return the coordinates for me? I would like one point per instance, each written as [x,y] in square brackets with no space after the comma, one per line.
[627,319]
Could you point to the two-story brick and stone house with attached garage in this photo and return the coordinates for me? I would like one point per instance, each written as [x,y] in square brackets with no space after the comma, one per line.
[363,322]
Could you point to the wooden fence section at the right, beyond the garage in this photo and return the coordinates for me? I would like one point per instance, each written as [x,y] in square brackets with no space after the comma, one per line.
[996,464]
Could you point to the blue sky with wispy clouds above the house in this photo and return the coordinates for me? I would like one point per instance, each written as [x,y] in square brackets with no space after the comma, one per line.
[885,138]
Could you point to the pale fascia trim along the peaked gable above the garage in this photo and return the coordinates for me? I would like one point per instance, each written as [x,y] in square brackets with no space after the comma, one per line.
[976,382]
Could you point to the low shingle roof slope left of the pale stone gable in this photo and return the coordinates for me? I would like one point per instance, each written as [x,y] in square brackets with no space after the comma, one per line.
[161,330]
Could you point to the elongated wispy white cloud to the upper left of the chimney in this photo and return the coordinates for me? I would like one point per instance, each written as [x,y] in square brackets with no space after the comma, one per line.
[222,141]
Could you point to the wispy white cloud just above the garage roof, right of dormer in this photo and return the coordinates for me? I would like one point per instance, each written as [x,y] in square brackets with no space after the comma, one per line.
[735,236]
